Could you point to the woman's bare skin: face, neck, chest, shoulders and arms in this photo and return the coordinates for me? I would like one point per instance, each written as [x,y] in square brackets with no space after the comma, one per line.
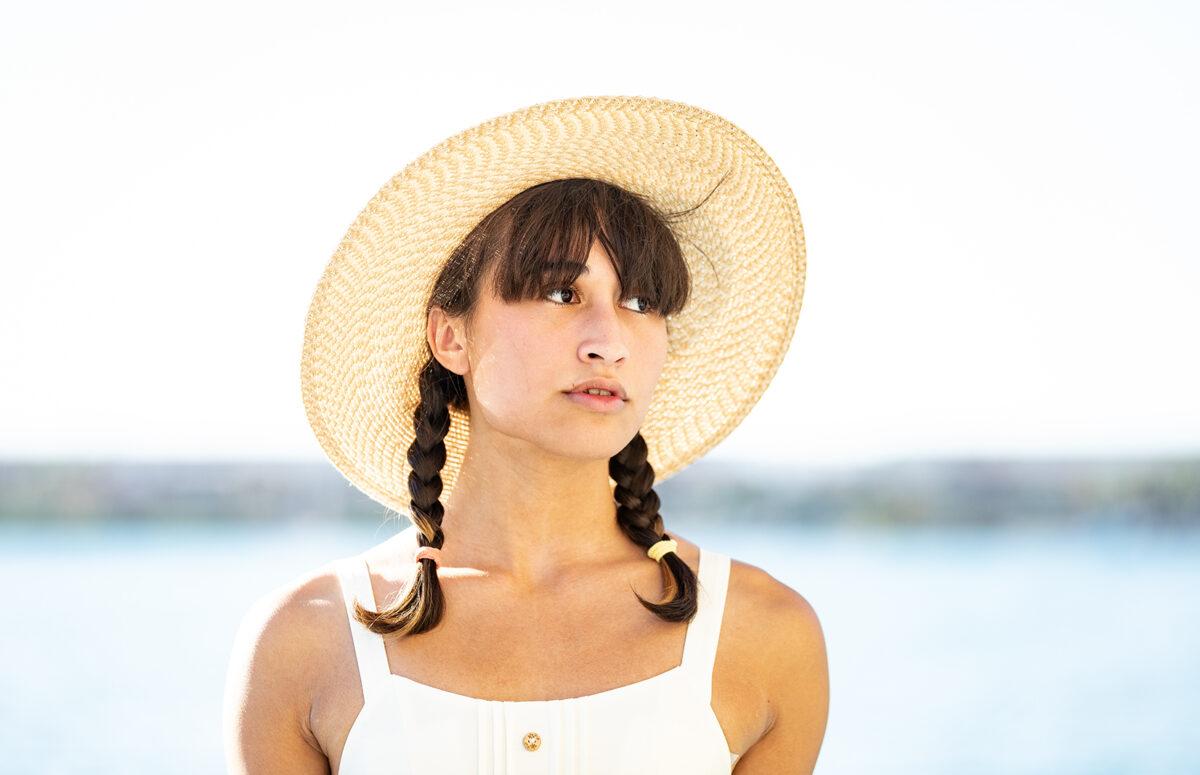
[537,574]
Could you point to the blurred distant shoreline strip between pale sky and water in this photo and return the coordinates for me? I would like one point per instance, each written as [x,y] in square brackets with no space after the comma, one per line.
[1157,492]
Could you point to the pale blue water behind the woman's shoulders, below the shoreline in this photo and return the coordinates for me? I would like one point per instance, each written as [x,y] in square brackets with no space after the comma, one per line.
[950,653]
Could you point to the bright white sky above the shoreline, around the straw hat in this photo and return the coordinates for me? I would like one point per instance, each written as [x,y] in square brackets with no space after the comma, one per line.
[1000,205]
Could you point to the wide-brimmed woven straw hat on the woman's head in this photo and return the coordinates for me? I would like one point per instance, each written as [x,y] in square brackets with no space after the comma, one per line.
[364,339]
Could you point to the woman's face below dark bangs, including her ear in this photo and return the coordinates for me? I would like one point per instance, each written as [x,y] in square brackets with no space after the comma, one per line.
[521,361]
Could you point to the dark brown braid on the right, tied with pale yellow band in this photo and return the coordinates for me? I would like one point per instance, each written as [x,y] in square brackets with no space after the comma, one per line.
[638,514]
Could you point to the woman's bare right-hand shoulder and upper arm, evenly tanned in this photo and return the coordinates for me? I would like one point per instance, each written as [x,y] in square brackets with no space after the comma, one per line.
[787,659]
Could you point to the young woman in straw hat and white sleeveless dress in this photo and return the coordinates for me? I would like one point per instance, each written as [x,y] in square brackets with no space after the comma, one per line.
[515,340]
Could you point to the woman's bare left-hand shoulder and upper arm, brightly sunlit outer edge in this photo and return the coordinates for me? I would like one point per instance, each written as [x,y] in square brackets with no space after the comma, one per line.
[285,644]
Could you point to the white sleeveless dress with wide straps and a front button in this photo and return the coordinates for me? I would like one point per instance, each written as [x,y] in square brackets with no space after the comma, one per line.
[663,725]
